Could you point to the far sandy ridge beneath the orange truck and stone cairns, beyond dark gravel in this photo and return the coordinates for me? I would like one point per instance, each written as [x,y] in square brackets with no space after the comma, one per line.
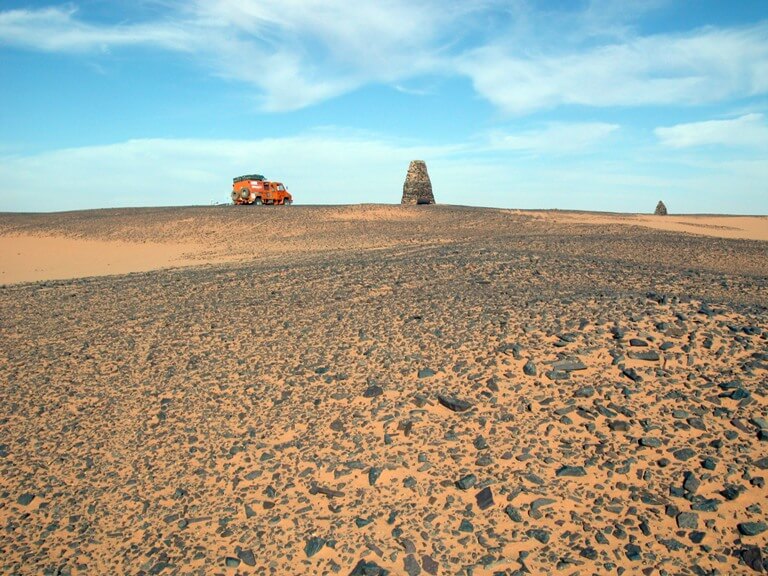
[106,242]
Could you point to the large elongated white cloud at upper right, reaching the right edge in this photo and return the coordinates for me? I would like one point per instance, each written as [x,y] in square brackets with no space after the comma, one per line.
[709,65]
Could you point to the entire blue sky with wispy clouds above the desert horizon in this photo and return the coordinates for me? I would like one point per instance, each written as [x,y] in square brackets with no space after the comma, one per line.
[591,105]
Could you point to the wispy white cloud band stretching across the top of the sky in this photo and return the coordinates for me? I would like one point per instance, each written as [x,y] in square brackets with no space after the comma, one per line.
[300,52]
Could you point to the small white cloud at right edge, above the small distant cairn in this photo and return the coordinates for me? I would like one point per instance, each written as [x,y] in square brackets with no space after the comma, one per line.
[749,130]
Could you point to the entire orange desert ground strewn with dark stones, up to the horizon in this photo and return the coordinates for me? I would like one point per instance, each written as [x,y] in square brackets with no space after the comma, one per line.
[382,390]
